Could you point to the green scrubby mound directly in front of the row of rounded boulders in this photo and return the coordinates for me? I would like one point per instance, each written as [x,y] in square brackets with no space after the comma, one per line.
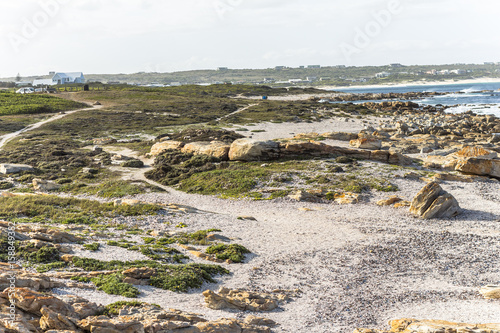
[236,180]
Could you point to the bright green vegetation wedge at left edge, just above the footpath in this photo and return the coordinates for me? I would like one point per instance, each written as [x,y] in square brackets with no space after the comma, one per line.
[12,103]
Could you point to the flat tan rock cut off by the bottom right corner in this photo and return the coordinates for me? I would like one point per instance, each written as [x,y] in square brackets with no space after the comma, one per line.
[432,326]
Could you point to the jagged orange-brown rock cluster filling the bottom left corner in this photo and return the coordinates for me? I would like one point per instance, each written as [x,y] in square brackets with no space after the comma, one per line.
[42,312]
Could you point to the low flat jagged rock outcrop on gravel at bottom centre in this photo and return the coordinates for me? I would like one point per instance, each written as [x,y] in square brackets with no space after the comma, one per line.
[242,300]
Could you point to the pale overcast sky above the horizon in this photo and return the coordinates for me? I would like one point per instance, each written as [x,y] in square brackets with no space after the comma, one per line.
[127,36]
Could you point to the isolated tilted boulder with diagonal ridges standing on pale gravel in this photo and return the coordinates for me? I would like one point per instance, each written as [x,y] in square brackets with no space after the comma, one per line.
[433,202]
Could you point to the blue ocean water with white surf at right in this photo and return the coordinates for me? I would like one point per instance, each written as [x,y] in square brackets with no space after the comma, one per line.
[463,97]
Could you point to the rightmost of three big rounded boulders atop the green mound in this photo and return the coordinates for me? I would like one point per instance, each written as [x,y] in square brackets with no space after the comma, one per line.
[250,150]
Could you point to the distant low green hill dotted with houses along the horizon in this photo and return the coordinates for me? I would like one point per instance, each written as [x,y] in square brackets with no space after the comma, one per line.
[333,75]
